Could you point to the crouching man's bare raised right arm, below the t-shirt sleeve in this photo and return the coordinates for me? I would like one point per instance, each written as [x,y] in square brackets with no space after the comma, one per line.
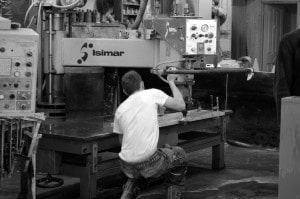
[176,102]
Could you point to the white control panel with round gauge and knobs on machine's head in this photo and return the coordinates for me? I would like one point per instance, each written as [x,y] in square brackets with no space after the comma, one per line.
[201,37]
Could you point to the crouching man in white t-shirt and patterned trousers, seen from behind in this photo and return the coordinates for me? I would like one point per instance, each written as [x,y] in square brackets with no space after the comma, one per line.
[136,122]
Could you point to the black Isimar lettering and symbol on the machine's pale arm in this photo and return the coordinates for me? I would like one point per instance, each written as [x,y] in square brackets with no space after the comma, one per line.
[84,51]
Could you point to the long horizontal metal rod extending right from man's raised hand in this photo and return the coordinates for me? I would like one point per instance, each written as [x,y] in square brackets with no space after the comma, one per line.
[208,71]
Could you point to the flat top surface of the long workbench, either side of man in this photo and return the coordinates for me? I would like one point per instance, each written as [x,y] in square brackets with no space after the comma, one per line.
[99,127]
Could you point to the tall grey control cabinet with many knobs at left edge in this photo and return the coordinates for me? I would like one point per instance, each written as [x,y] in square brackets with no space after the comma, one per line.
[18,71]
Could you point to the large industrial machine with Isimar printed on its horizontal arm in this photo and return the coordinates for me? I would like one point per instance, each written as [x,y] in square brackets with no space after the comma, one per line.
[166,34]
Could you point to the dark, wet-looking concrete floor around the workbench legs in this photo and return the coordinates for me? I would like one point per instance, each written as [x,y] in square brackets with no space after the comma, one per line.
[249,173]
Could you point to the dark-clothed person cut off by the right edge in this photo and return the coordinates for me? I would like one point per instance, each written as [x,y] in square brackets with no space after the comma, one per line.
[287,69]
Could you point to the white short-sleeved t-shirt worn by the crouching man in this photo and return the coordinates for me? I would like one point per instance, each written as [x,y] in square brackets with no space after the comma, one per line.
[136,118]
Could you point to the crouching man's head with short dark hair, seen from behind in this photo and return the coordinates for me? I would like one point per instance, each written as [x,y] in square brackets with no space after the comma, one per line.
[131,82]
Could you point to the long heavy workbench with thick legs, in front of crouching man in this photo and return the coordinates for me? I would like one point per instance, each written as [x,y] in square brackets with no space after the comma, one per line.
[76,146]
